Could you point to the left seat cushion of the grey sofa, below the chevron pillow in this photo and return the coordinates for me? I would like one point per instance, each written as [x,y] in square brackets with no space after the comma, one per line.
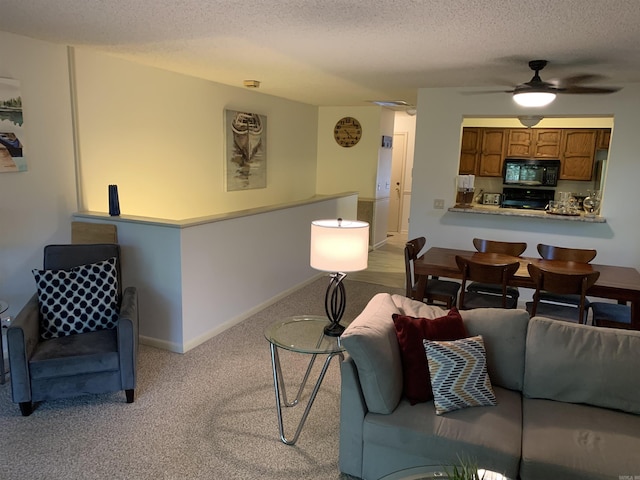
[414,435]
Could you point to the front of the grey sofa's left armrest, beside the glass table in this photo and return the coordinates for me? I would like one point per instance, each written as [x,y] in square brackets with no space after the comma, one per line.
[352,412]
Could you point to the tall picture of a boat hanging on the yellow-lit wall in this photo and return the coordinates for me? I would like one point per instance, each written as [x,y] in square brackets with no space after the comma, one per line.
[246,150]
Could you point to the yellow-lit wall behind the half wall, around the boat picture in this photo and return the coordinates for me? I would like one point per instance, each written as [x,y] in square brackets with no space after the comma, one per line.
[159,136]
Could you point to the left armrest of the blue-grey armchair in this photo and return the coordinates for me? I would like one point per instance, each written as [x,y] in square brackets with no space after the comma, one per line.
[22,337]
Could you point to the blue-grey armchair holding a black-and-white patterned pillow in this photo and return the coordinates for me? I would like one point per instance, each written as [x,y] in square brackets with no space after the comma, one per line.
[74,364]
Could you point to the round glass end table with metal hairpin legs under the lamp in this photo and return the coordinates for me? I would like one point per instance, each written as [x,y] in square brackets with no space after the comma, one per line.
[302,334]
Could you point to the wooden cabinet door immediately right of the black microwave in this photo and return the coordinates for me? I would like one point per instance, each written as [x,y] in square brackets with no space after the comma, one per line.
[578,150]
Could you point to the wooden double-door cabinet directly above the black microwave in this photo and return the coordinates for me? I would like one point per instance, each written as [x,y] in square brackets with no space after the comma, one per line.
[534,143]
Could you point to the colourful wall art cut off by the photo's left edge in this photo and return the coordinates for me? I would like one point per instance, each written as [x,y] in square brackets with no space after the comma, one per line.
[11,132]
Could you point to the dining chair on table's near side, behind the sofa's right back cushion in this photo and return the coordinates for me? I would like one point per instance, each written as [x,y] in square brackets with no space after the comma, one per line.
[562,284]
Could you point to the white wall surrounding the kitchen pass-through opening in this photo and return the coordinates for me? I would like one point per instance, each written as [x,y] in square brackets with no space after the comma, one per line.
[436,161]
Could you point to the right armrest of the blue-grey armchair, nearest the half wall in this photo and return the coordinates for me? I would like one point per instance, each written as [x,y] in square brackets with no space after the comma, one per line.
[127,329]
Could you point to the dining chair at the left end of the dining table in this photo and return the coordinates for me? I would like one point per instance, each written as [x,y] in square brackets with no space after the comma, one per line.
[441,291]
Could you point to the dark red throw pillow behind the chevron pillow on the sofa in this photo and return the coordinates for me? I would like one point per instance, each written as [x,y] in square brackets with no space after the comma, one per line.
[410,332]
